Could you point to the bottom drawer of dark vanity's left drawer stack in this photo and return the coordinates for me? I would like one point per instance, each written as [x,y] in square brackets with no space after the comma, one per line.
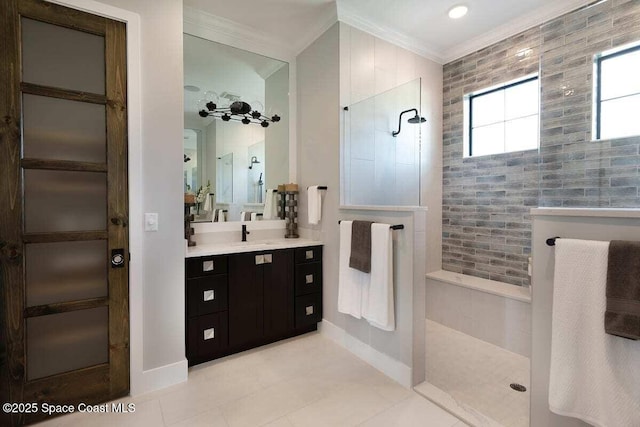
[207,335]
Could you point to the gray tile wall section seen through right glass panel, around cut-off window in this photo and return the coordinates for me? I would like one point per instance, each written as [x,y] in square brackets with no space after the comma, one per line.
[574,170]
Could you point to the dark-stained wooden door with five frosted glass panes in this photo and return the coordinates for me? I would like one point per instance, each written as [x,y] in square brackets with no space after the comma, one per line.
[63,207]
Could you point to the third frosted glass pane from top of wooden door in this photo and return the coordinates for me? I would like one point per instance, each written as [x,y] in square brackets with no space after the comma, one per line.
[57,201]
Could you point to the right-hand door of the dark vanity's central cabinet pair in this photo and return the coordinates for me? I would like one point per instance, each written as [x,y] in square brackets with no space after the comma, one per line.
[278,293]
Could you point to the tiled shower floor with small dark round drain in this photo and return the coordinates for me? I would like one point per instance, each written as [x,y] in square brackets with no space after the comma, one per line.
[477,374]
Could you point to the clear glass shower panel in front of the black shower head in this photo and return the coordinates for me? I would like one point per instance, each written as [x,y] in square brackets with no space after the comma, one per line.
[378,168]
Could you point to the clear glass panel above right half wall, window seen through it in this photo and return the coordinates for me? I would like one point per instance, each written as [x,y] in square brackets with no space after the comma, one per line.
[576,169]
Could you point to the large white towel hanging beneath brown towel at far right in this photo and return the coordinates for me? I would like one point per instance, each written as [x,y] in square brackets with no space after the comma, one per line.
[594,376]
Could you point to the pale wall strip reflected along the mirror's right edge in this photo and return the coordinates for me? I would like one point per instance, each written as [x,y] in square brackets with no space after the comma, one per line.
[276,88]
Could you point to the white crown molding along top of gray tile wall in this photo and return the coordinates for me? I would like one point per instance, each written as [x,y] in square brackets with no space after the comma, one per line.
[513,27]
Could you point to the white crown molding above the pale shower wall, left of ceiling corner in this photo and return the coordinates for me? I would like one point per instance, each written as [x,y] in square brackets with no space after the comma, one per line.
[413,44]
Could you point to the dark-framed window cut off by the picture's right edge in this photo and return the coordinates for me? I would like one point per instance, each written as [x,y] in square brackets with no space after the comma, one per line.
[617,103]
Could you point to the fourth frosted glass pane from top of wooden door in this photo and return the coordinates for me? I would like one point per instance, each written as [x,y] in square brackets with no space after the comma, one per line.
[65,271]
